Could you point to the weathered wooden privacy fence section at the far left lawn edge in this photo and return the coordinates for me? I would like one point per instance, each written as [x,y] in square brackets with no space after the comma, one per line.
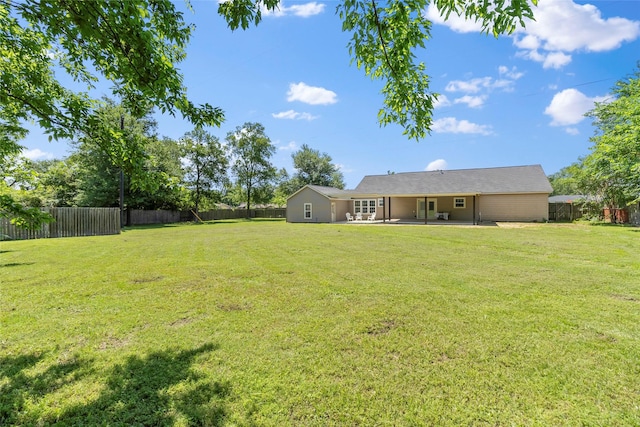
[68,222]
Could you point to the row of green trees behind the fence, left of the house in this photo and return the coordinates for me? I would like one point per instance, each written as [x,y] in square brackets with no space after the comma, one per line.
[195,172]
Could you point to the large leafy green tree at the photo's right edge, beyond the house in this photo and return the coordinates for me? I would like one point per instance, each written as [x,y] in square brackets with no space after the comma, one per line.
[613,166]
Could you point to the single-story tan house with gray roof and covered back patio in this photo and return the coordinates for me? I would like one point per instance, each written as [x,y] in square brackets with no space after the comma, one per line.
[518,193]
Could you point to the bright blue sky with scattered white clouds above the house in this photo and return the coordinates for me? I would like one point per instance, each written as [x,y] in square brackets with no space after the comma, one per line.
[515,100]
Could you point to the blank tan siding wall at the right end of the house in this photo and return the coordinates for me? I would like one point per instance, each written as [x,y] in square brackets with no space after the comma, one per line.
[513,207]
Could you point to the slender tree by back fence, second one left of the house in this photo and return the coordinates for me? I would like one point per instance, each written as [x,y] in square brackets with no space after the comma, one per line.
[205,163]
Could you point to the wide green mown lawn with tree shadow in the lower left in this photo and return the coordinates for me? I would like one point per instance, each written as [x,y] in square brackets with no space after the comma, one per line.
[269,323]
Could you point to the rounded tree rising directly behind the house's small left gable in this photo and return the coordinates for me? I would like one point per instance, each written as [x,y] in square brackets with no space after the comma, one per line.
[313,167]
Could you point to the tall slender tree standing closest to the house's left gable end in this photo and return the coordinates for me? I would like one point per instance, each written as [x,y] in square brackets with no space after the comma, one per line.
[251,150]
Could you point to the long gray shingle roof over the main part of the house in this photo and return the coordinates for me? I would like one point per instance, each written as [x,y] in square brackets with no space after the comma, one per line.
[502,180]
